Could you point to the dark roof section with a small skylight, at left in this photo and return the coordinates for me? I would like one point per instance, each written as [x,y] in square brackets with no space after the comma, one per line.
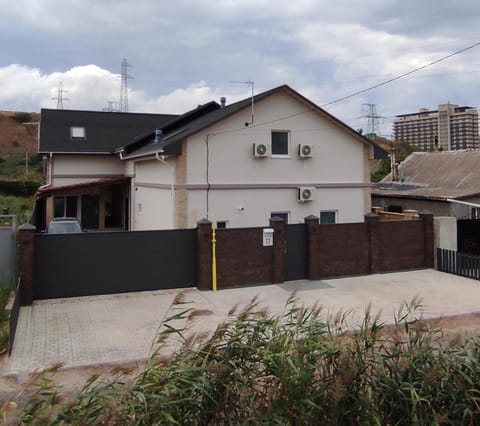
[105,132]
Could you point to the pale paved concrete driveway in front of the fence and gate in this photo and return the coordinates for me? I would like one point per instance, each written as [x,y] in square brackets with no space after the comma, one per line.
[121,328]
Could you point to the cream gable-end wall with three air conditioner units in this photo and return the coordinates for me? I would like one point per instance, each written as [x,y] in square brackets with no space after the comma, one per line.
[337,165]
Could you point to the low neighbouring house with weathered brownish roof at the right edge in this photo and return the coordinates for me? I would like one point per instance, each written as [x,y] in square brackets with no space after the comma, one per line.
[445,183]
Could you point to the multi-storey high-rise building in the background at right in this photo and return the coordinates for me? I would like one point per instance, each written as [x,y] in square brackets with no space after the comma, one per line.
[448,128]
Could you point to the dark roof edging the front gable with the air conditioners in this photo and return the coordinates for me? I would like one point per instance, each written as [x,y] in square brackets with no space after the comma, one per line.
[211,113]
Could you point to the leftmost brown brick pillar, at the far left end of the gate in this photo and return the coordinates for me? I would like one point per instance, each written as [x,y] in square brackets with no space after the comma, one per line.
[26,250]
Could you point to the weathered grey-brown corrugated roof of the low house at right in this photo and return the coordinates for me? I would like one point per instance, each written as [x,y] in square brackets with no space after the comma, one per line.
[439,175]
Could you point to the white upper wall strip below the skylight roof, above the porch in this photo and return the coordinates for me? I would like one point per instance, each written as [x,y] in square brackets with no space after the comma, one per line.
[73,169]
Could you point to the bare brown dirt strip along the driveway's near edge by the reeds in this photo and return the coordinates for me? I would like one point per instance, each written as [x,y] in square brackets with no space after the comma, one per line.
[14,391]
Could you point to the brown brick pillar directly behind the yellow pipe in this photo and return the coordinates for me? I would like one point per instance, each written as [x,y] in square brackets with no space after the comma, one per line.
[204,254]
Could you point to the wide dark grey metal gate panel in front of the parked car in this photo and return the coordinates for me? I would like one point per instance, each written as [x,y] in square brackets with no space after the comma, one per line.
[114,262]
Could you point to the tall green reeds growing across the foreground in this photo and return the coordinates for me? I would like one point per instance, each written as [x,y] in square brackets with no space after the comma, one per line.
[294,368]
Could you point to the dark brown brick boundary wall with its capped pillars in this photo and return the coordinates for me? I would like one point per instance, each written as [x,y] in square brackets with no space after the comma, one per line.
[331,251]
